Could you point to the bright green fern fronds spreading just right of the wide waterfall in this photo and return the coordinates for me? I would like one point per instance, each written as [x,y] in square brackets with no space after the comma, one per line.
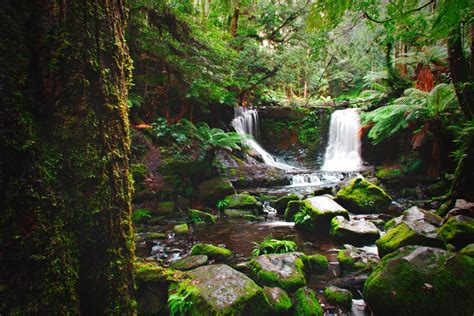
[415,107]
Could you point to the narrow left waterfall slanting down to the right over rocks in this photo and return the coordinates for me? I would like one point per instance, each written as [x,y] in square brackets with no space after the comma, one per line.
[245,122]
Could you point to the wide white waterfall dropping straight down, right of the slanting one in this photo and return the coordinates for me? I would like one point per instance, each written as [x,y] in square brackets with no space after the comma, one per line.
[343,150]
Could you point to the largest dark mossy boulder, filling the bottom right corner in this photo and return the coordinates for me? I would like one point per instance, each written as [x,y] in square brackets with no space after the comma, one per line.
[418,280]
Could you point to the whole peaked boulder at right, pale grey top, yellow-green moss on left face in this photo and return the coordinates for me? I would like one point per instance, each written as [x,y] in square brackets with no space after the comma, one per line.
[414,227]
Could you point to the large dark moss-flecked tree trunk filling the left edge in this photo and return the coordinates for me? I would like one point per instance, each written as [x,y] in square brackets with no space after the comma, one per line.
[66,243]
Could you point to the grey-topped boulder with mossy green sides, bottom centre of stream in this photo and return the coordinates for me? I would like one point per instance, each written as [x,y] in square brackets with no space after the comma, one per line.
[285,270]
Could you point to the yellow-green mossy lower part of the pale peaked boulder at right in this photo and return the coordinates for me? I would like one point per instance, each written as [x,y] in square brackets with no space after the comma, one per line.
[402,235]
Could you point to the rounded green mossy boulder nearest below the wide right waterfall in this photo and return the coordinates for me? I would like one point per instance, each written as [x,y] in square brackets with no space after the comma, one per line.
[362,197]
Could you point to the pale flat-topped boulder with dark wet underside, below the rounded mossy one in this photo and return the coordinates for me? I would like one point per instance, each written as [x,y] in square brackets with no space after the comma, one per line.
[354,232]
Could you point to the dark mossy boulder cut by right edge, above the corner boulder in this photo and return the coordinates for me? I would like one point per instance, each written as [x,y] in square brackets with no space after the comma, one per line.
[458,231]
